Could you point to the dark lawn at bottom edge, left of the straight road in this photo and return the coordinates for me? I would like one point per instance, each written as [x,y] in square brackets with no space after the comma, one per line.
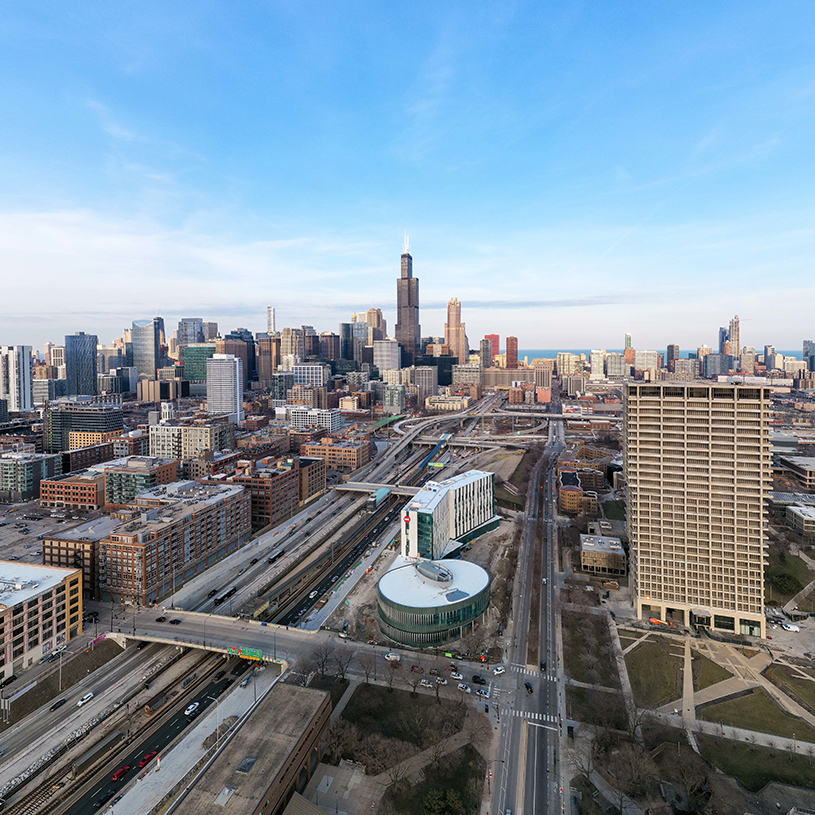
[461,771]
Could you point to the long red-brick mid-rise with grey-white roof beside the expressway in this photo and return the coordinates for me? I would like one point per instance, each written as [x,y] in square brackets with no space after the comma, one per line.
[173,533]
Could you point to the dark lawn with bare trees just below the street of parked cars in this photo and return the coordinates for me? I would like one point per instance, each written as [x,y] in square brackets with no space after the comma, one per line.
[374,709]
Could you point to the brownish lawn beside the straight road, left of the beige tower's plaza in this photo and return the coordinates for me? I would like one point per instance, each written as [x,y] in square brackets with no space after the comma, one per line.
[588,653]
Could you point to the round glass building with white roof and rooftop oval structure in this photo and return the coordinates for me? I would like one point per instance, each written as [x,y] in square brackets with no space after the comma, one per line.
[426,603]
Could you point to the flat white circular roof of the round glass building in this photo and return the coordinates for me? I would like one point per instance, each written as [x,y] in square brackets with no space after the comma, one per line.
[429,584]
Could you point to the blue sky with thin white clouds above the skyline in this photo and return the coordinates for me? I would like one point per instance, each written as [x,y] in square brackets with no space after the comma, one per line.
[569,171]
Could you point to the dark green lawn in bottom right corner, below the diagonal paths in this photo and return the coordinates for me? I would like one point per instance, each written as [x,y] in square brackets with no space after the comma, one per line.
[754,767]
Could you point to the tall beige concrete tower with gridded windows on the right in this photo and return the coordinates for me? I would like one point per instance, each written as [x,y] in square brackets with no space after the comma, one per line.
[698,469]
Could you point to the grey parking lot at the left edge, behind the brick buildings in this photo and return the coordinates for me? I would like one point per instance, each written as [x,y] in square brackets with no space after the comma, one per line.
[23,526]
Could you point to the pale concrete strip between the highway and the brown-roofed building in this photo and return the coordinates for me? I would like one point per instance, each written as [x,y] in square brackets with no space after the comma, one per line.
[149,789]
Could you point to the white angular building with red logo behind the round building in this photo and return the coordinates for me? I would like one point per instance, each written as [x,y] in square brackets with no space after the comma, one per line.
[444,515]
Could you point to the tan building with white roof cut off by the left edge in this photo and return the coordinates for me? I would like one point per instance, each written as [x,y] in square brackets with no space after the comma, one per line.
[40,609]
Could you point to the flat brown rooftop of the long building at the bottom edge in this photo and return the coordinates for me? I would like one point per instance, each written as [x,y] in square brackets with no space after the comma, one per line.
[241,775]
